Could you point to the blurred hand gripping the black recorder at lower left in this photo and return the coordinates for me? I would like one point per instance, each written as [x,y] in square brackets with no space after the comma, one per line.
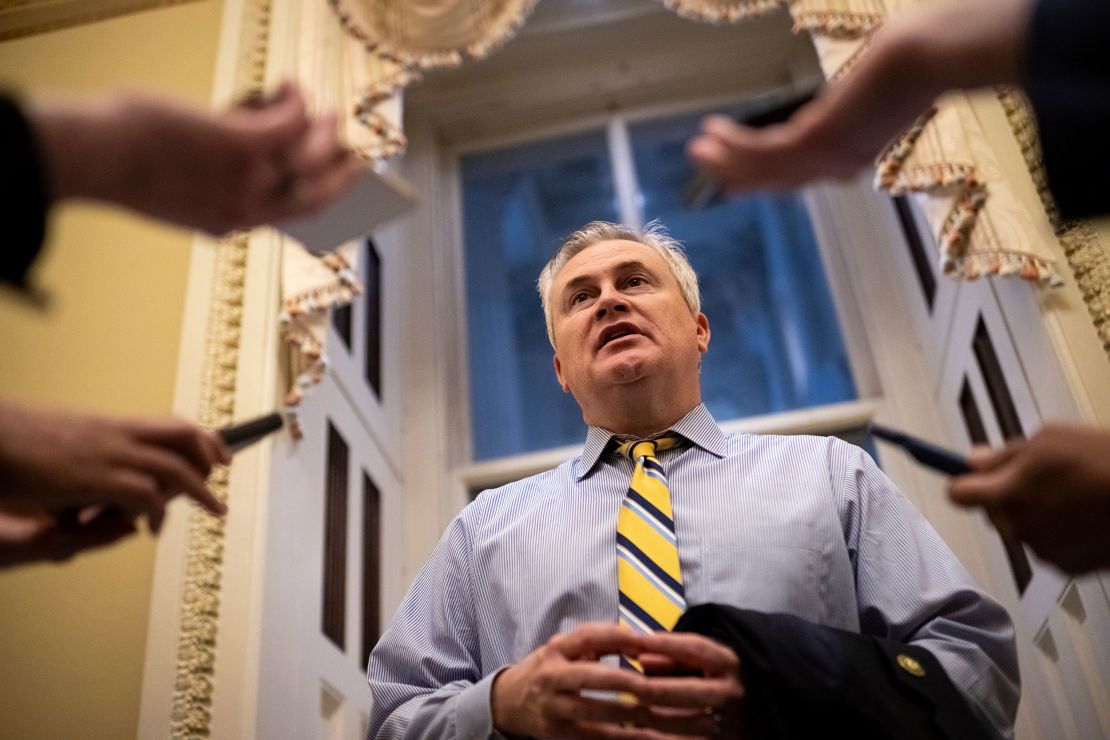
[59,461]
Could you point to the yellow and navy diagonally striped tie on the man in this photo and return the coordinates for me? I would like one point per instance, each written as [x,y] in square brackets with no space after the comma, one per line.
[649,574]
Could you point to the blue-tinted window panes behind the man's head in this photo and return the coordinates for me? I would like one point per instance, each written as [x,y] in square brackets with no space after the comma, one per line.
[776,341]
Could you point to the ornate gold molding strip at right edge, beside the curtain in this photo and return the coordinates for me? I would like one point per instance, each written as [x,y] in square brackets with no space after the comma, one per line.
[1087,256]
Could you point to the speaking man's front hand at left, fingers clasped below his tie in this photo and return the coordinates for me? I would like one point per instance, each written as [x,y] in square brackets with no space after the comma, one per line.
[541,697]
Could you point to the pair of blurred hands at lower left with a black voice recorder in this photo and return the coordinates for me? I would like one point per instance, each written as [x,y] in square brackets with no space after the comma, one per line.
[74,482]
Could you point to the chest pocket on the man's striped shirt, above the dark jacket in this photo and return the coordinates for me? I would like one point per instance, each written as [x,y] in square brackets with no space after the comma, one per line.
[771,569]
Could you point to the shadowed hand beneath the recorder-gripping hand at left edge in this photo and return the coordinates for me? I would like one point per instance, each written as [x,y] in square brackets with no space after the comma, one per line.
[29,536]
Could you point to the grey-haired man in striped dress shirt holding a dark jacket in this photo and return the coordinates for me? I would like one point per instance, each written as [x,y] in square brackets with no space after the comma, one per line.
[820,572]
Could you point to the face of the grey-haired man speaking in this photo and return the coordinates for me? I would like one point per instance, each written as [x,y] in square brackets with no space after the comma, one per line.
[620,318]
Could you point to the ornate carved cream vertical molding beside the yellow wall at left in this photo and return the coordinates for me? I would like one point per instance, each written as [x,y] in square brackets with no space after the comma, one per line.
[195,671]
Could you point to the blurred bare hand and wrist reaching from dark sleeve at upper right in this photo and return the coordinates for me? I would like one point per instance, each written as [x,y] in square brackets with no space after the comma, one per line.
[911,62]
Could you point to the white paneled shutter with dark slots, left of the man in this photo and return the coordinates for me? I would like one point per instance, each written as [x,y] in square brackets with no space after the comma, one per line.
[334,531]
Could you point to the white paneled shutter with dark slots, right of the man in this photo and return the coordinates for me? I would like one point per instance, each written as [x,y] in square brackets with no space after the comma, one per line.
[1064,625]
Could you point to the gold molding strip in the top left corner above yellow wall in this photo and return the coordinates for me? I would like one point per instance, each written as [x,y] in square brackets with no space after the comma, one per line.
[22,18]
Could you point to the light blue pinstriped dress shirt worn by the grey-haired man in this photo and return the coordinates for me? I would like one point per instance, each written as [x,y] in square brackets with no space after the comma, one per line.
[802,525]
